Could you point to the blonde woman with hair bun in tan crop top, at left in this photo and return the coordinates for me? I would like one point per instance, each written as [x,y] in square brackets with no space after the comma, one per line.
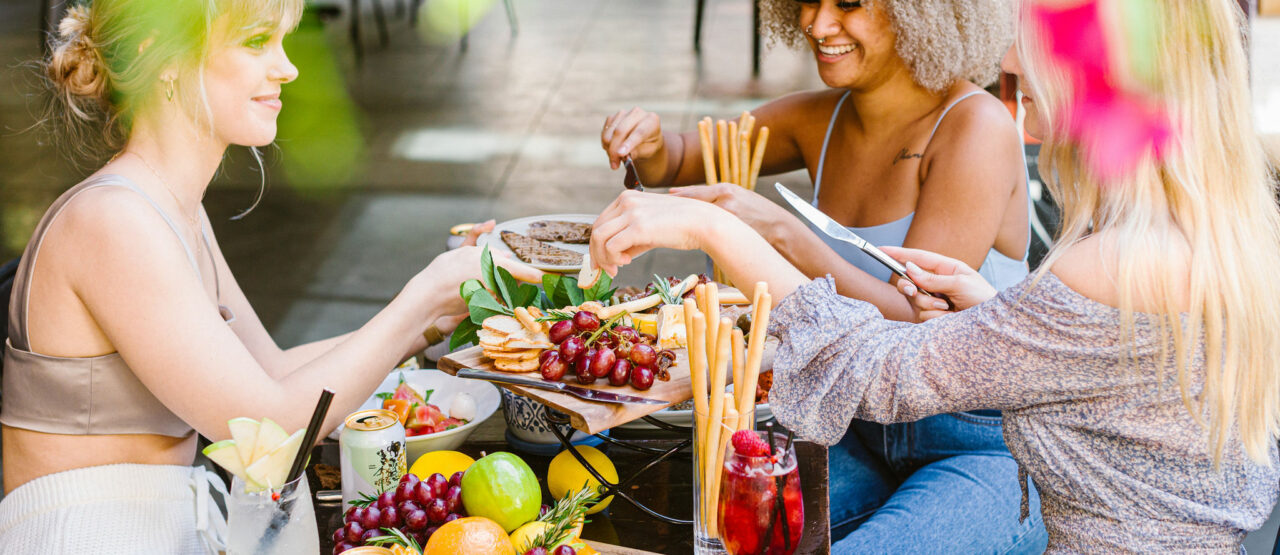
[125,272]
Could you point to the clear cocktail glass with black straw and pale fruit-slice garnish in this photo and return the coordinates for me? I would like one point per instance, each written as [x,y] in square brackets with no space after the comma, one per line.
[280,521]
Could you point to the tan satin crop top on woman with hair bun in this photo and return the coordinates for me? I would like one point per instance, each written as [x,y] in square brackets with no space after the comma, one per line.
[94,396]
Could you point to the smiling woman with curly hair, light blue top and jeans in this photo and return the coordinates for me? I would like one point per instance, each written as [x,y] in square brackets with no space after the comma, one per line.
[907,150]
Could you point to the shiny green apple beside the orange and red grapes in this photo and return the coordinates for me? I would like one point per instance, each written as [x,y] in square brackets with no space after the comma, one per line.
[502,489]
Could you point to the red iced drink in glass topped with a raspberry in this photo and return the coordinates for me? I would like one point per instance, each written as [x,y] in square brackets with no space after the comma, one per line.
[761,508]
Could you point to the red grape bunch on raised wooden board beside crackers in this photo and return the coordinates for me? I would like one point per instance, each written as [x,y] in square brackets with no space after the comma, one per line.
[593,350]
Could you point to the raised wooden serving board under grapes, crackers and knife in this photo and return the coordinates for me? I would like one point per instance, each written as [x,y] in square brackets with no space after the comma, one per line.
[587,416]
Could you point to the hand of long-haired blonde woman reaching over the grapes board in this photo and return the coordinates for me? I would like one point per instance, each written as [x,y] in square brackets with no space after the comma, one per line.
[641,222]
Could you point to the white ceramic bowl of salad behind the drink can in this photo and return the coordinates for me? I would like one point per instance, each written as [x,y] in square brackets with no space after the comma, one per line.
[445,389]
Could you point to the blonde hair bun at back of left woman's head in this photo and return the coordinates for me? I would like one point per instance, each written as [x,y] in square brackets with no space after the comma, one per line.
[76,66]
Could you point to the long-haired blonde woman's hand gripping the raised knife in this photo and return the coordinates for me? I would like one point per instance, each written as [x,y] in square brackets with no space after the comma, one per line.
[939,276]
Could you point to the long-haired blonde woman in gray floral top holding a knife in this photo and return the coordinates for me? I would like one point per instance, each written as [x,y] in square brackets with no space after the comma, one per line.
[1137,370]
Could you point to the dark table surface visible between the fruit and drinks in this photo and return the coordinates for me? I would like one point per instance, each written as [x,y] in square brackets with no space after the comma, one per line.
[669,489]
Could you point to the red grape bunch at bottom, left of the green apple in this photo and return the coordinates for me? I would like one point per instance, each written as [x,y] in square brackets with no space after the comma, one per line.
[417,507]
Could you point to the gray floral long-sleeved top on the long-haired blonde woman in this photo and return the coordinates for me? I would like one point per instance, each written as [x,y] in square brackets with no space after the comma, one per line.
[1118,460]
